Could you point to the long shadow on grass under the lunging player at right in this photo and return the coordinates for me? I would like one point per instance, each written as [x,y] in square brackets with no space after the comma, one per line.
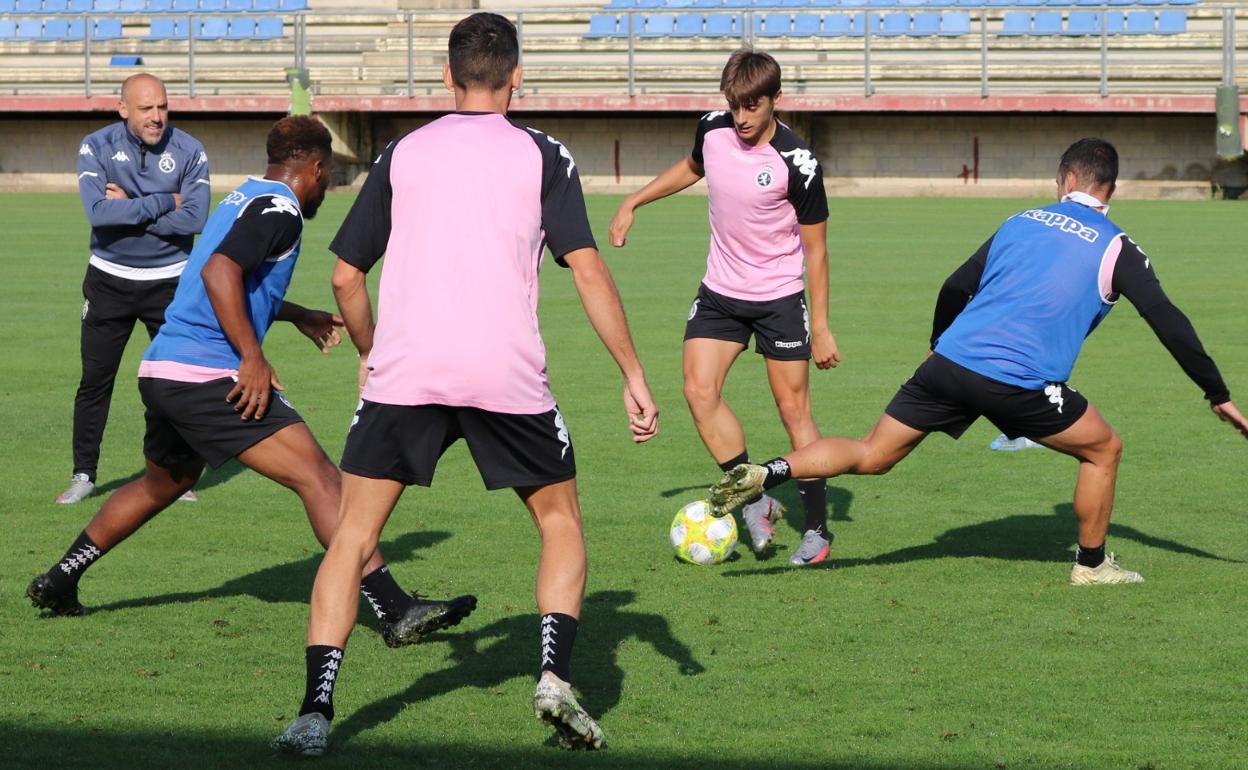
[1024,537]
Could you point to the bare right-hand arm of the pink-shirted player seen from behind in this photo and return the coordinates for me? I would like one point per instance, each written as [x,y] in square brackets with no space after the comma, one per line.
[606,311]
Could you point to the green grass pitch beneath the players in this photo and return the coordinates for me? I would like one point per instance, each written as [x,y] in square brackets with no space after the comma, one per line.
[942,635]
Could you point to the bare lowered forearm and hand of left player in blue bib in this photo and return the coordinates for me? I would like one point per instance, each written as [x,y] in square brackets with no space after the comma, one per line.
[223,281]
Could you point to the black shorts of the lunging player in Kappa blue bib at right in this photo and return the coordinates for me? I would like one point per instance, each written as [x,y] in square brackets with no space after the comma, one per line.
[944,396]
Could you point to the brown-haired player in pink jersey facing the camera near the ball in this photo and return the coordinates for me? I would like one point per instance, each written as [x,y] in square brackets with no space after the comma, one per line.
[768,222]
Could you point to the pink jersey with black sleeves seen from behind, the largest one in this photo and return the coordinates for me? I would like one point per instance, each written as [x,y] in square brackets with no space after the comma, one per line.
[462,209]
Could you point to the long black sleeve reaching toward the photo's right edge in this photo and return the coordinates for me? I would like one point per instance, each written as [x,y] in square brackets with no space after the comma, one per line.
[1134,279]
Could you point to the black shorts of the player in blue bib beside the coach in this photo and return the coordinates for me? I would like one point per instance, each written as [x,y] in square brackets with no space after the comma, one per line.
[190,421]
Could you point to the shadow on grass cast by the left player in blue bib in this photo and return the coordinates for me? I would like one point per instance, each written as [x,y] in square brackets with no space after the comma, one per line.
[285,583]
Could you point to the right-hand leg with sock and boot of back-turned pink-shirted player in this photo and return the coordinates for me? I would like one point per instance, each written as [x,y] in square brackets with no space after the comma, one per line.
[561,587]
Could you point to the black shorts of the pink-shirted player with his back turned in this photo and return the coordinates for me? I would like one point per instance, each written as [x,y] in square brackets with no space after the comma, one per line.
[405,444]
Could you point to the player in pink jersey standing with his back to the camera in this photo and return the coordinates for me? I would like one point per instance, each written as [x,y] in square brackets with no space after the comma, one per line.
[462,210]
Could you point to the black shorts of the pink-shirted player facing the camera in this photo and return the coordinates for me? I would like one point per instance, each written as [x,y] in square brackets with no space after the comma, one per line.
[781,328]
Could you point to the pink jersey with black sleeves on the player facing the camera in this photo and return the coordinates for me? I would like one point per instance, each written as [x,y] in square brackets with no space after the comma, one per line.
[758,197]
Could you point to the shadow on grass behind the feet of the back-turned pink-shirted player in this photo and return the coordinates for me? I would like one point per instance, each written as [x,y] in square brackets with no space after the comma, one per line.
[507,650]
